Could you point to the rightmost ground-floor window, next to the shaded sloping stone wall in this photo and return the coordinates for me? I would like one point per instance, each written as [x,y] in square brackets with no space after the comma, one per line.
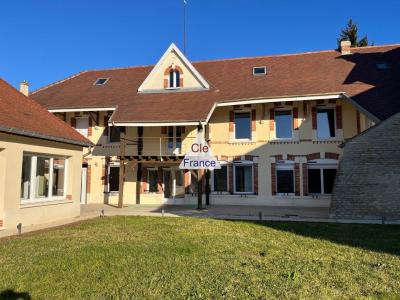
[321,178]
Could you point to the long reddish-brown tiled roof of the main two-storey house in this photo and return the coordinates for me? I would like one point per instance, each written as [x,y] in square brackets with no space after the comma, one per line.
[313,73]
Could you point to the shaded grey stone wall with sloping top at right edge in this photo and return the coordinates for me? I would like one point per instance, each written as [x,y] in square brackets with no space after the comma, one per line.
[368,179]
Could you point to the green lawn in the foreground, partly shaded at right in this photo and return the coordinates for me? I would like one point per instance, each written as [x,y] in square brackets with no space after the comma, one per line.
[175,258]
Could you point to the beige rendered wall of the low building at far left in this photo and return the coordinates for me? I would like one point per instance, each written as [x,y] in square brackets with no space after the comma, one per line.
[61,203]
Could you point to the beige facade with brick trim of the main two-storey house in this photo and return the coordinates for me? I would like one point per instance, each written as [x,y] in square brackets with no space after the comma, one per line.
[264,151]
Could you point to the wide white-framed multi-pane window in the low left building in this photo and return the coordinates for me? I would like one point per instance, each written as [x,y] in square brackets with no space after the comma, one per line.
[43,178]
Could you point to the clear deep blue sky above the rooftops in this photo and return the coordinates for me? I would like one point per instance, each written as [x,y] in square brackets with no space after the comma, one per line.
[48,40]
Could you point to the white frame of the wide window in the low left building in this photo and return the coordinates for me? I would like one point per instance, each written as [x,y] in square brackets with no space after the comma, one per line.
[32,192]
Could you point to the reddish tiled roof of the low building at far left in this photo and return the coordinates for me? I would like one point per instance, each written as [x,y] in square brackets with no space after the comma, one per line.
[23,116]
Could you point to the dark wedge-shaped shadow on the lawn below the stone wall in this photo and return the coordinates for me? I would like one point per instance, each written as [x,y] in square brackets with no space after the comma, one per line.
[378,238]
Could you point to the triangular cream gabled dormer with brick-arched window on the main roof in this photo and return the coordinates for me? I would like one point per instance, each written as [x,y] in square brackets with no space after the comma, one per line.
[172,73]
